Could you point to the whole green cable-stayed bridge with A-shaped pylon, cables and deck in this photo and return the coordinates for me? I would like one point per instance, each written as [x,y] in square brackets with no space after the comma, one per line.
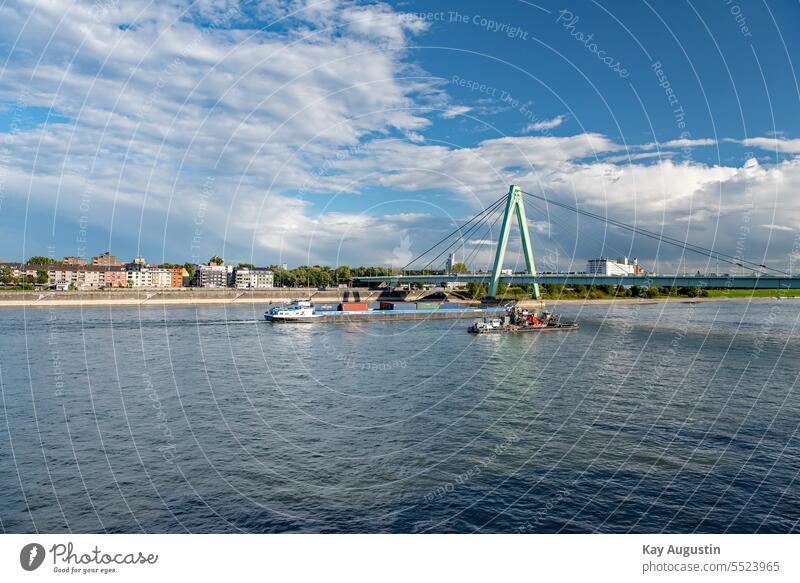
[513,208]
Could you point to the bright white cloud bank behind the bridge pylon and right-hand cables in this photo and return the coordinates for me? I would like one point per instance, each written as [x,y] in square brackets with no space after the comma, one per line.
[710,205]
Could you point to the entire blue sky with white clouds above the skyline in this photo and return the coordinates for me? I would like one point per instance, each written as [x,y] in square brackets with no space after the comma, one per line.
[359,133]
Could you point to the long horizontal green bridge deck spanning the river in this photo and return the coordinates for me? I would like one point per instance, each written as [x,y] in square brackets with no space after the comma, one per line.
[666,280]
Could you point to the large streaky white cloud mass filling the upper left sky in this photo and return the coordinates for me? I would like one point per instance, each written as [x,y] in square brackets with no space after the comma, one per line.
[162,104]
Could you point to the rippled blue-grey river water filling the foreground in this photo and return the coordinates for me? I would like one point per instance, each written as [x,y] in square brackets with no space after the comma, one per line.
[650,418]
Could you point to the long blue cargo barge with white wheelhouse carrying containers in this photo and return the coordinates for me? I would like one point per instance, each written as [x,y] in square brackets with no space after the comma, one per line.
[301,311]
